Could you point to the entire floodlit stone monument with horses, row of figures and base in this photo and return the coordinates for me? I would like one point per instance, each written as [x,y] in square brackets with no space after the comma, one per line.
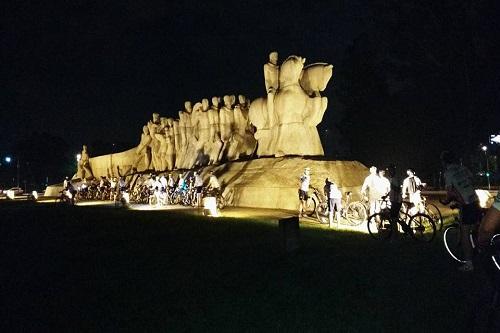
[280,124]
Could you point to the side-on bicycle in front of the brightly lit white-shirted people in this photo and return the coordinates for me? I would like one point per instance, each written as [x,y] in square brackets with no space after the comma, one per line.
[420,226]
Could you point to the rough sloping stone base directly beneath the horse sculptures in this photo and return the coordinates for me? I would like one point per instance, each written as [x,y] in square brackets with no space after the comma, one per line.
[274,182]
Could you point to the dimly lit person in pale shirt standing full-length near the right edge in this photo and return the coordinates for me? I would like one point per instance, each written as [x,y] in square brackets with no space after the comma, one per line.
[459,188]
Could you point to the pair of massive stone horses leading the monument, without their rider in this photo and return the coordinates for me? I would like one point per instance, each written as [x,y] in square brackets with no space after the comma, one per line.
[296,110]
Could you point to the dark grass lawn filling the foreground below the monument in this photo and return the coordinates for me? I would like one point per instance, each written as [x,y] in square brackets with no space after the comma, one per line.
[103,269]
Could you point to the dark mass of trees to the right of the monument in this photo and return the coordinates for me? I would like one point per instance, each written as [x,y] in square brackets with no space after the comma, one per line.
[426,72]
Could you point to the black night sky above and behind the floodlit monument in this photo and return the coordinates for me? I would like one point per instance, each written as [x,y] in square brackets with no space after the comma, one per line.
[88,71]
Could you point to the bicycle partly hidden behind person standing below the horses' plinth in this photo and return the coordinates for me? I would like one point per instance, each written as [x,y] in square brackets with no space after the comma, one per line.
[354,213]
